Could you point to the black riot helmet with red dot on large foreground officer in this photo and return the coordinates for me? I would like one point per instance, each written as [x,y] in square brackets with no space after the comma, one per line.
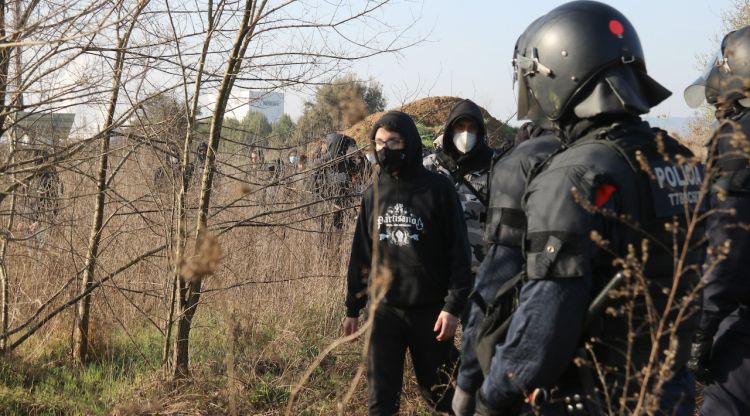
[583,57]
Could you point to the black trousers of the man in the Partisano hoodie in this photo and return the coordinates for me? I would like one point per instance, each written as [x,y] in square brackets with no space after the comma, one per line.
[394,331]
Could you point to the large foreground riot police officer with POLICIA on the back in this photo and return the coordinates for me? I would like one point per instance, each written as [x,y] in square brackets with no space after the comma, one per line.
[615,183]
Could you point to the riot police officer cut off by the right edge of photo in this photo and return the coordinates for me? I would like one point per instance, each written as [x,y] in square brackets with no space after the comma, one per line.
[721,350]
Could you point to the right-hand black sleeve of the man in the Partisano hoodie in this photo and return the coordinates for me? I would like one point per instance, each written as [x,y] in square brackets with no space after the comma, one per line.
[458,251]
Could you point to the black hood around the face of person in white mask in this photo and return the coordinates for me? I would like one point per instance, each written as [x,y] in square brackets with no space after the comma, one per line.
[478,157]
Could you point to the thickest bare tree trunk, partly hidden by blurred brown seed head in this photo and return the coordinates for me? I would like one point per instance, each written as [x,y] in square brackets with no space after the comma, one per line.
[189,292]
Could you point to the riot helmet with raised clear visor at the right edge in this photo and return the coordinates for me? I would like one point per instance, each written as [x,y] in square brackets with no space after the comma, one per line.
[727,74]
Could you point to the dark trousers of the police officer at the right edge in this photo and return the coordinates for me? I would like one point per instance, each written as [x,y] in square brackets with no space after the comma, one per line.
[729,394]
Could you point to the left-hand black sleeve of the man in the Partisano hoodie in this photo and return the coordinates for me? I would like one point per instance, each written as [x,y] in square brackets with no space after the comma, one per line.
[360,261]
